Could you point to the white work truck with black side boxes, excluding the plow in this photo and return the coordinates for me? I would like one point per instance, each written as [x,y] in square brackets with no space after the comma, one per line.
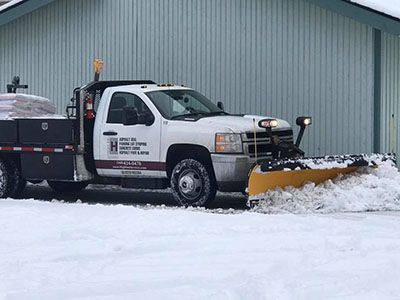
[137,134]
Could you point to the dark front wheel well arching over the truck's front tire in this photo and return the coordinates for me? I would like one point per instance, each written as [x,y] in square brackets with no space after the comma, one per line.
[178,152]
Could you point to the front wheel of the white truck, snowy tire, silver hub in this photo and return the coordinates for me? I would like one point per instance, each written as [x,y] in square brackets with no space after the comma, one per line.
[192,183]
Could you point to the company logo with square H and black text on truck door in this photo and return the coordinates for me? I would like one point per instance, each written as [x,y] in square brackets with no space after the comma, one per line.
[127,146]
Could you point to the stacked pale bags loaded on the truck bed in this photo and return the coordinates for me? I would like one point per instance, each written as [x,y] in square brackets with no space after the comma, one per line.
[24,106]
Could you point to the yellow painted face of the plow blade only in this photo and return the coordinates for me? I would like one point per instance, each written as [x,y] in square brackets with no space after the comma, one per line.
[260,183]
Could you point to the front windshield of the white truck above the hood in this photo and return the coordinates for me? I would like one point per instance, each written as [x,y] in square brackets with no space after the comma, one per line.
[176,104]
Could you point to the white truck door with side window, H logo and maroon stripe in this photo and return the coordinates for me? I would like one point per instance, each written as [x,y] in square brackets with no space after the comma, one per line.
[128,150]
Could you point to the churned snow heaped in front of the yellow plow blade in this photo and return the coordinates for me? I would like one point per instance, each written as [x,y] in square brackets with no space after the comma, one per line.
[367,190]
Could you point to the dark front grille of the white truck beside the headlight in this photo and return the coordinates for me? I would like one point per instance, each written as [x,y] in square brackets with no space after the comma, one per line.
[264,144]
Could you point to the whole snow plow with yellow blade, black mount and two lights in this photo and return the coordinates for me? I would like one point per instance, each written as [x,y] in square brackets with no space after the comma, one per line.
[289,168]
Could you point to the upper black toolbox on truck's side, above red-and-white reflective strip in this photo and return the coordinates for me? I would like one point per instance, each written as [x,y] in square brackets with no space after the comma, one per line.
[45,131]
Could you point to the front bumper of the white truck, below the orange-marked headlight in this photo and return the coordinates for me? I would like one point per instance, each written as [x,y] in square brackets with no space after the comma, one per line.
[231,171]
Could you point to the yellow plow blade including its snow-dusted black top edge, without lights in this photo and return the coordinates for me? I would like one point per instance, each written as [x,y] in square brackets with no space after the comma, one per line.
[272,174]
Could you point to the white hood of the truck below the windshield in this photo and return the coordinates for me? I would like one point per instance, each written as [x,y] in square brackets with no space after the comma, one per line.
[239,124]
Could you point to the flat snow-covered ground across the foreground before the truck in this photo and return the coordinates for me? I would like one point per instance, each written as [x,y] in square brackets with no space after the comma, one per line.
[77,251]
